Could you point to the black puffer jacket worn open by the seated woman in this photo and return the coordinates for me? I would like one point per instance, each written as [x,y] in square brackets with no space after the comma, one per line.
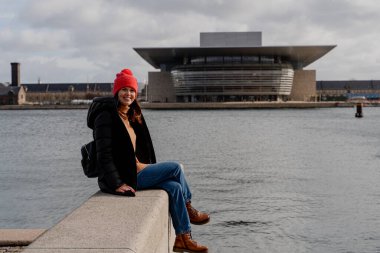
[115,153]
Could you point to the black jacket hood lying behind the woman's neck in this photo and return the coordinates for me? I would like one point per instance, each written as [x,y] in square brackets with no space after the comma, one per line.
[99,105]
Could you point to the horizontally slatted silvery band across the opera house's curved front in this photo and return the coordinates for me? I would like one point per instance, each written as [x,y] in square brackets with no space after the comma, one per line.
[236,80]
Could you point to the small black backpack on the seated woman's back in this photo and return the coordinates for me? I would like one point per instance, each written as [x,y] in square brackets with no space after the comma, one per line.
[88,152]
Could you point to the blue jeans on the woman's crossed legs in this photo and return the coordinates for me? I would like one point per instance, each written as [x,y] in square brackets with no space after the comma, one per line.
[169,176]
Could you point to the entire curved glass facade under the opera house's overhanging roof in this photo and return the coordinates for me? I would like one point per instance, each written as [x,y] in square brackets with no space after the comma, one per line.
[232,78]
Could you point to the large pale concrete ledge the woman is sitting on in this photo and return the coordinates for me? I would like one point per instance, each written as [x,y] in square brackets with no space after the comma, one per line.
[108,223]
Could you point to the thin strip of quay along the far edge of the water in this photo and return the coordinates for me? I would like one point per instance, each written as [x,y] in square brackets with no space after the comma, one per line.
[203,106]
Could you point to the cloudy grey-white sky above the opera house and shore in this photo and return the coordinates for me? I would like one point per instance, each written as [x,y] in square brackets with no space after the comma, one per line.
[91,40]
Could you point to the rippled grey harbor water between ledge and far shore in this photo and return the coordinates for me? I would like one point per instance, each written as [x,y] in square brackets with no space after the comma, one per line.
[285,180]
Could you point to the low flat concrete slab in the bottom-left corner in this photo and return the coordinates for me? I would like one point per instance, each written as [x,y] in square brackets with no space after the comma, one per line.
[19,237]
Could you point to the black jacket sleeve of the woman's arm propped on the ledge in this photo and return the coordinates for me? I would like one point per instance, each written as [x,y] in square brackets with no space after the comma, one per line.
[103,138]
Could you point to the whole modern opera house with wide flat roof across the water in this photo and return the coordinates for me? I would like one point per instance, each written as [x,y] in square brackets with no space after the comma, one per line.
[232,66]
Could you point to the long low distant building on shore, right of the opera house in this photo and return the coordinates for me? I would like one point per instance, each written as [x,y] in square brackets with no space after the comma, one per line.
[343,90]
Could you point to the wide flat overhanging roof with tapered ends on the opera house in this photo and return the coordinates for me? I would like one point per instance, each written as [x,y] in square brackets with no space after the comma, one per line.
[300,56]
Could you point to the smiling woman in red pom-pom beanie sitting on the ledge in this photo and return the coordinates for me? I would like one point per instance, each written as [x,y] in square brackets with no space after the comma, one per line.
[127,161]
